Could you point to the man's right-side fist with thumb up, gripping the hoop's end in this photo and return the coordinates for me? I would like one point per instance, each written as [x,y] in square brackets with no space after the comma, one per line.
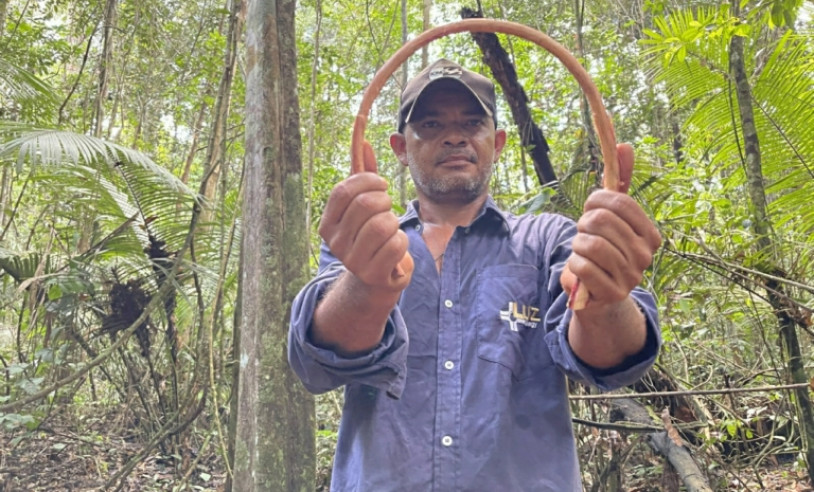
[615,241]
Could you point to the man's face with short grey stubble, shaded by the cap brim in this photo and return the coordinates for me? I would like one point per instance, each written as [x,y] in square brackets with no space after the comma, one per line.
[449,145]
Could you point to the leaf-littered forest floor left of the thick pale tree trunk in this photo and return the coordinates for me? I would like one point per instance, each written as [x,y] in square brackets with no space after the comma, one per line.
[56,457]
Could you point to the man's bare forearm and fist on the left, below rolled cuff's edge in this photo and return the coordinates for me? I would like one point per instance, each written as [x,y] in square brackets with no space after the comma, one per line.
[361,230]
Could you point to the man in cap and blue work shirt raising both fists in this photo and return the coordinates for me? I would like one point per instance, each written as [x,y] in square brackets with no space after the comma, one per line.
[449,326]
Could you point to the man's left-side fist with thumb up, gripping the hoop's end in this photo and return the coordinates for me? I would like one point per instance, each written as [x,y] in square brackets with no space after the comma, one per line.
[362,231]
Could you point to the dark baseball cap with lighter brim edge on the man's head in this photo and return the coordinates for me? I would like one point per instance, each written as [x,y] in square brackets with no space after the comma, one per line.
[481,87]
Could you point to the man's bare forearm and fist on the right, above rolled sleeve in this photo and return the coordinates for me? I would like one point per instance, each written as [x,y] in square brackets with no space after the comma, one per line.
[615,243]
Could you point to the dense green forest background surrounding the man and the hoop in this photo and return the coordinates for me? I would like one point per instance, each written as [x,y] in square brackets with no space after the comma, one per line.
[129,199]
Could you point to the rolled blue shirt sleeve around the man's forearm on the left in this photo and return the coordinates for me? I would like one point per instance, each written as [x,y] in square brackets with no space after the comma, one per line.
[321,370]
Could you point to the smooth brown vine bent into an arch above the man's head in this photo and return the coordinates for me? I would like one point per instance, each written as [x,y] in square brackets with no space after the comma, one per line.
[602,122]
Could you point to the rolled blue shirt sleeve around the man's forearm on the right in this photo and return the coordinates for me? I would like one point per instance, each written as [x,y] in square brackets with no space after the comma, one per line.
[608,379]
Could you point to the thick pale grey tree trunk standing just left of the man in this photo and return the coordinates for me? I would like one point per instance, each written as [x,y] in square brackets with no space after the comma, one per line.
[275,444]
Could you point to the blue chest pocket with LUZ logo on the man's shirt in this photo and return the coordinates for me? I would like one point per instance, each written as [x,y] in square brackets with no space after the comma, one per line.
[509,318]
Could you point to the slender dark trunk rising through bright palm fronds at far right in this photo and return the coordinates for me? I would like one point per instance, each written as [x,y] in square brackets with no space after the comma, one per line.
[775,290]
